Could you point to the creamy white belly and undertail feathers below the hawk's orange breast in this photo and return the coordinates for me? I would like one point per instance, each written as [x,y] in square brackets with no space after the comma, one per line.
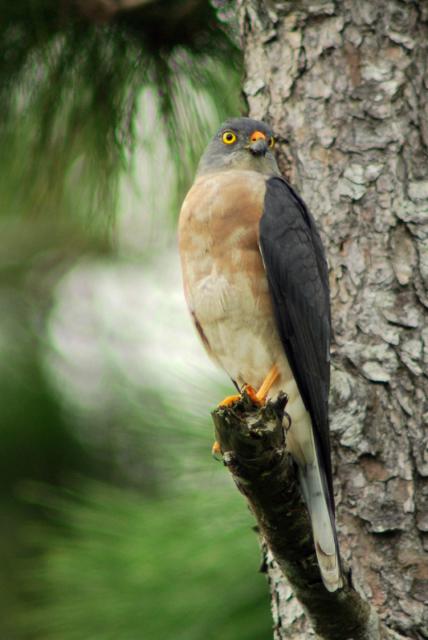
[245,342]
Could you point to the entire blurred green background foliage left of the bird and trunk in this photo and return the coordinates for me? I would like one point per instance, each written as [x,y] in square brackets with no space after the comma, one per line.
[116,523]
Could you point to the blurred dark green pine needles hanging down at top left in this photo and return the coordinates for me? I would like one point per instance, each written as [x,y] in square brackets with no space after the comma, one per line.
[70,81]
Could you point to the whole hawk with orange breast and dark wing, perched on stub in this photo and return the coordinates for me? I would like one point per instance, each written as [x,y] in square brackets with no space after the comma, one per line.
[255,280]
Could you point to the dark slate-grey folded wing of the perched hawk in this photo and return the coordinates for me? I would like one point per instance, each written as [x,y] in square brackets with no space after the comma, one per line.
[297,272]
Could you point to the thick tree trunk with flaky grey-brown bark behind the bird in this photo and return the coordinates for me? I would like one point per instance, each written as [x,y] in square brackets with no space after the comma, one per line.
[345,84]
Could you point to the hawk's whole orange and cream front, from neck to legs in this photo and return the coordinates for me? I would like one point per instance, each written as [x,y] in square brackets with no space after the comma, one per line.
[225,282]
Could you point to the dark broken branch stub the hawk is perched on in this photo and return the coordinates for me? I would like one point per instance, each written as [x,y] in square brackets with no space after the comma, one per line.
[252,440]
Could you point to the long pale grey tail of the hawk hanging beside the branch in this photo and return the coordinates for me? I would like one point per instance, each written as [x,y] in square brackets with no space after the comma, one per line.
[316,494]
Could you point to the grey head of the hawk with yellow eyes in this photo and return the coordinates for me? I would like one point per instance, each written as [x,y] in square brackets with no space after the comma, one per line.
[240,143]
